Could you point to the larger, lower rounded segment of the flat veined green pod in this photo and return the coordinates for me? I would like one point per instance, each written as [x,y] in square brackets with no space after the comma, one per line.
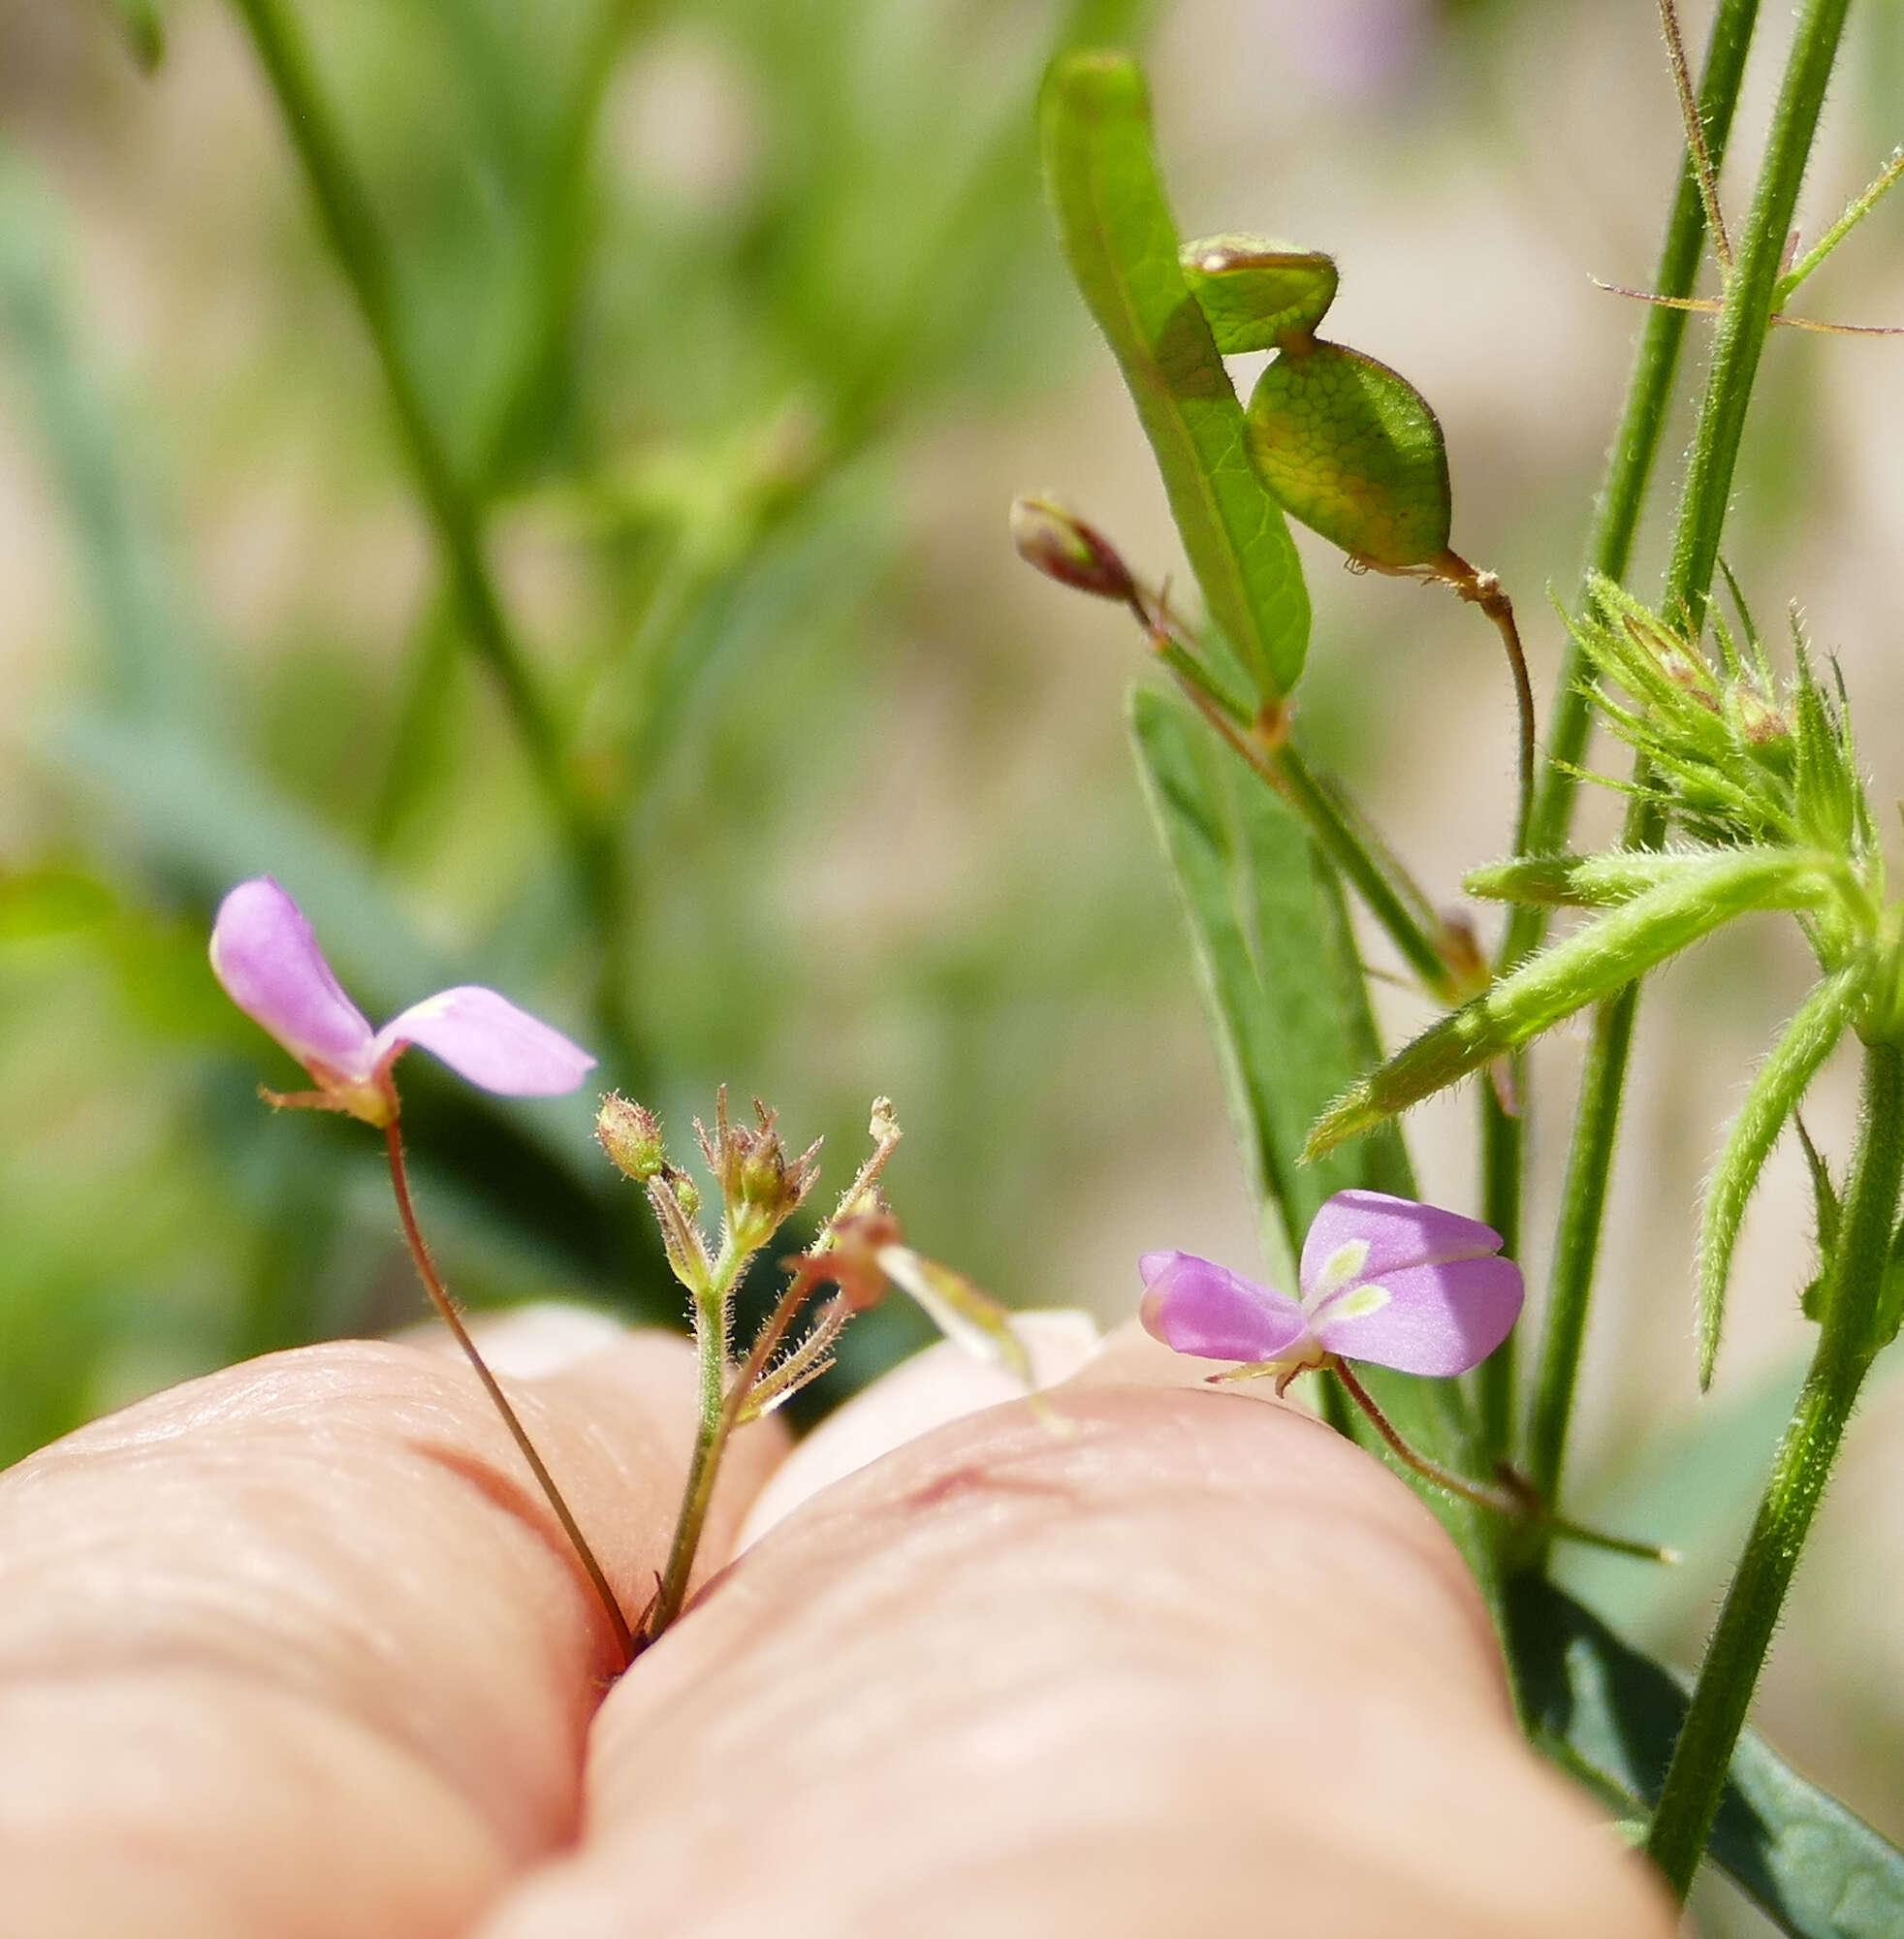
[1352,451]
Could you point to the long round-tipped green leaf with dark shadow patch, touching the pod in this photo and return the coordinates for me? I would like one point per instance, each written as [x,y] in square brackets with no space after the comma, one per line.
[1122,247]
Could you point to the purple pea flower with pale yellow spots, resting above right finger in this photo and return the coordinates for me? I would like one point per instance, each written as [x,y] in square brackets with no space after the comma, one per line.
[1389,1281]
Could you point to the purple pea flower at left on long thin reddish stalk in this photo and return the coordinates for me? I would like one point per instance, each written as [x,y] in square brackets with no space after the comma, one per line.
[269,961]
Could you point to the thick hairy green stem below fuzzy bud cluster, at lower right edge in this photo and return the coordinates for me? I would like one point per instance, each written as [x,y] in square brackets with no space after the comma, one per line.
[1847,1347]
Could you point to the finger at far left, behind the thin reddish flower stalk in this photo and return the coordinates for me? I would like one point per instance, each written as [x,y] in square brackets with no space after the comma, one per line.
[300,1651]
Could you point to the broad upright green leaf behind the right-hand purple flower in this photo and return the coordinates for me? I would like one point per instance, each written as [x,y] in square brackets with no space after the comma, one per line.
[1290,1015]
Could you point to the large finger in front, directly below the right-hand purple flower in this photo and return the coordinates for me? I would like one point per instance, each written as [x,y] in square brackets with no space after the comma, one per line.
[1191,1667]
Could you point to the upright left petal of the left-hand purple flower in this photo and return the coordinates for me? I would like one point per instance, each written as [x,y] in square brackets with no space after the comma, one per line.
[269,961]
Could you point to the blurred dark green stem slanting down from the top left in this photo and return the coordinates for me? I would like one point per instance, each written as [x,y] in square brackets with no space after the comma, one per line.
[358,241]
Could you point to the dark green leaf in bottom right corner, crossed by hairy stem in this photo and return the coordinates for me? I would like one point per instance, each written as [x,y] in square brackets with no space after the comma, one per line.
[1610,1717]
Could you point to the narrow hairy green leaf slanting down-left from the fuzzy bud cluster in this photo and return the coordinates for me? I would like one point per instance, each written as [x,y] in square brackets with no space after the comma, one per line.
[1579,970]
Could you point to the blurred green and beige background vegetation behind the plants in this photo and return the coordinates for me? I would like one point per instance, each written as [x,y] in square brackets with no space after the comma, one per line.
[734,327]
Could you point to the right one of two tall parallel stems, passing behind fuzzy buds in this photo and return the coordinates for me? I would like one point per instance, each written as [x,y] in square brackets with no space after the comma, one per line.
[1742,333]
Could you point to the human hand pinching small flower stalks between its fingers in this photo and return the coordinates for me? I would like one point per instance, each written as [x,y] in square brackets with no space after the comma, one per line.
[296,1651]
